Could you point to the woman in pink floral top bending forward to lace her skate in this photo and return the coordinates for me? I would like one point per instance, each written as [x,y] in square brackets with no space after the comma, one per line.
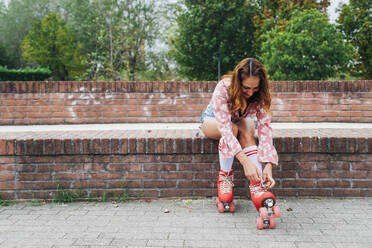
[228,118]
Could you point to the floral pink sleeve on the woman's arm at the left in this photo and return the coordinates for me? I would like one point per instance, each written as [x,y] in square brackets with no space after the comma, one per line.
[229,145]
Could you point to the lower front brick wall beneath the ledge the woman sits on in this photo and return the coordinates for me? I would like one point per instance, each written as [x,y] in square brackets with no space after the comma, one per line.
[155,165]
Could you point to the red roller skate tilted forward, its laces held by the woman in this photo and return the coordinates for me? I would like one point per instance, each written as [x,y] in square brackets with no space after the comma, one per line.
[264,201]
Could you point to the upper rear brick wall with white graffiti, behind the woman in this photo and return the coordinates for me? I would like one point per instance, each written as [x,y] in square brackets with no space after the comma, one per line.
[124,102]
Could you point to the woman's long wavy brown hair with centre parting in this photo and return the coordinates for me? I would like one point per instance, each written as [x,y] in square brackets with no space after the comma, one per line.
[249,68]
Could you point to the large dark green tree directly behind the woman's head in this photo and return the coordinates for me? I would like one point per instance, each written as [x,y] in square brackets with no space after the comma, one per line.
[212,30]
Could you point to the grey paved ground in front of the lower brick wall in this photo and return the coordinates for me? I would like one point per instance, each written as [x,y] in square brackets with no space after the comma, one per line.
[305,222]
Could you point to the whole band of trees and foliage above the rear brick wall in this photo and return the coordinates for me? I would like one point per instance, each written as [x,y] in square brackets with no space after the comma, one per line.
[156,40]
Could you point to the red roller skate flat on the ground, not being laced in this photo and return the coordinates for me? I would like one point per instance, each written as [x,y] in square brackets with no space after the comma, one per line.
[224,201]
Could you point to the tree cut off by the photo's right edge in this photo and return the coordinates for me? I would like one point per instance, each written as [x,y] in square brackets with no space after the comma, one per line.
[356,23]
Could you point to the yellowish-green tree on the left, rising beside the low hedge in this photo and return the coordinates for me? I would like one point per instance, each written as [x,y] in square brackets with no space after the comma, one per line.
[51,44]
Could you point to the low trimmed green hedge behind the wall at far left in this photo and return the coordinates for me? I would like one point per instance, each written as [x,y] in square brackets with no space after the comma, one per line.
[27,74]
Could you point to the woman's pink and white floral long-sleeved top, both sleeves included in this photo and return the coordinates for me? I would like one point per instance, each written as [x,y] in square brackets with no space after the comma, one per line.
[229,144]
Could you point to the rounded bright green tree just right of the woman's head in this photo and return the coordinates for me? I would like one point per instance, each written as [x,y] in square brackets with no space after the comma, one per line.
[309,48]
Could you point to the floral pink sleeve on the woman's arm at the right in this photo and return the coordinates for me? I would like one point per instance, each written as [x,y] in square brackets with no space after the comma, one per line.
[266,151]
